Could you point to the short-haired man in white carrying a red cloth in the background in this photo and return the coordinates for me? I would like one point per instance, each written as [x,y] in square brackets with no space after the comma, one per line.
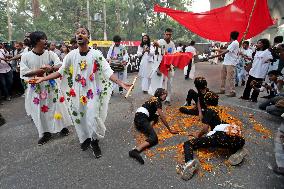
[159,80]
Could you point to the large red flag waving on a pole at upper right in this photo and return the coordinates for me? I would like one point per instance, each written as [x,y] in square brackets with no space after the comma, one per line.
[217,24]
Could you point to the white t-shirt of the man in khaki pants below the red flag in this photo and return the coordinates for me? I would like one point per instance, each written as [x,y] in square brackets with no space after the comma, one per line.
[231,57]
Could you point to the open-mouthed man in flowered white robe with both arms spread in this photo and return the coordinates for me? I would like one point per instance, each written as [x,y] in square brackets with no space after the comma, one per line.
[89,79]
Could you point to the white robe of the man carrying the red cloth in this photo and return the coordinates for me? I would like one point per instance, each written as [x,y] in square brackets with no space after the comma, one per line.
[162,81]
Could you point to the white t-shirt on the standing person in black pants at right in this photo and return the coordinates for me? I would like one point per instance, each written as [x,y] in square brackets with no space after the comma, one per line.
[260,64]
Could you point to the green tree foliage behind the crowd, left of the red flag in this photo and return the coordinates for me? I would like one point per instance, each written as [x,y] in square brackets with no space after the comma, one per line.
[60,18]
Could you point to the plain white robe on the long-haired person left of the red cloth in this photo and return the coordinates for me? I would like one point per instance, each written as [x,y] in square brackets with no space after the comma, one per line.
[146,66]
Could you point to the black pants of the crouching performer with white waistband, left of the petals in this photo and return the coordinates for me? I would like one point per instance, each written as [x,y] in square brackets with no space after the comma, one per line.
[143,124]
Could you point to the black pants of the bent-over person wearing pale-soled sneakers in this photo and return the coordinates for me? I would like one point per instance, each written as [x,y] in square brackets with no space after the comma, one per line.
[217,140]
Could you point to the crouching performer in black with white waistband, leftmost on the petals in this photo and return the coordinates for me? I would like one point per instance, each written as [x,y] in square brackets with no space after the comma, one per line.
[144,120]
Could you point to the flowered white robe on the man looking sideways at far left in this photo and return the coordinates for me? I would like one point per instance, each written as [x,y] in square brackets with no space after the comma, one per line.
[35,99]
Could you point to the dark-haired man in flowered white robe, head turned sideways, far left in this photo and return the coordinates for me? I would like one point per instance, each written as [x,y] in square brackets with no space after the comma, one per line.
[48,114]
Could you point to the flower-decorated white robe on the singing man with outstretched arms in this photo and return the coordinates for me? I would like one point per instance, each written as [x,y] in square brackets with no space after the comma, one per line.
[89,118]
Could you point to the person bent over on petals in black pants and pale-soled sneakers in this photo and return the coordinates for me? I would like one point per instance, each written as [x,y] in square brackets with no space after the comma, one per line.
[226,136]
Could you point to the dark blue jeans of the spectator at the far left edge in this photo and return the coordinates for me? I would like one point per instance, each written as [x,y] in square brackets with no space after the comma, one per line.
[6,81]
